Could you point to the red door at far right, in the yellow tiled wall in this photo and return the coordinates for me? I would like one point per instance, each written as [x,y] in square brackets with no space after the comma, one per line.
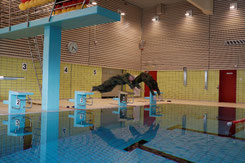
[227,86]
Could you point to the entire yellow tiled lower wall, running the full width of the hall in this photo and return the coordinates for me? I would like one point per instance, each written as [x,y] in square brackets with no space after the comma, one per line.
[82,78]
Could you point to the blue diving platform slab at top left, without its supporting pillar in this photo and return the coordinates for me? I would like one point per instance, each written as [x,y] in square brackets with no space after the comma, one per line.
[74,19]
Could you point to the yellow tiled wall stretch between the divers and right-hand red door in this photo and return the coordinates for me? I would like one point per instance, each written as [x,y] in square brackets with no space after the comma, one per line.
[171,84]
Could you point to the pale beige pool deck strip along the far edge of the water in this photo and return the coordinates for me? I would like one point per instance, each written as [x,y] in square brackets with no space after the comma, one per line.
[110,103]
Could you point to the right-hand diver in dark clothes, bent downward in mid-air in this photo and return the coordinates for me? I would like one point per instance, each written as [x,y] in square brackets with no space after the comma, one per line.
[148,80]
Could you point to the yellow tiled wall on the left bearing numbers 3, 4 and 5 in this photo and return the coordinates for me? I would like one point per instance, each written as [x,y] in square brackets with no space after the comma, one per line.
[78,77]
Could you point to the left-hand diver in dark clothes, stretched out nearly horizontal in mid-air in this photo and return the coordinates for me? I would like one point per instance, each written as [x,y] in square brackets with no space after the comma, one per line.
[111,83]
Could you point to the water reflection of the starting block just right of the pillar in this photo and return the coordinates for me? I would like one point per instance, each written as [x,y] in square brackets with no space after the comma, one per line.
[82,118]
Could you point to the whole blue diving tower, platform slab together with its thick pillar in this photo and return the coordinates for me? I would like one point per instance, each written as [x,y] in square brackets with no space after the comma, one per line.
[52,43]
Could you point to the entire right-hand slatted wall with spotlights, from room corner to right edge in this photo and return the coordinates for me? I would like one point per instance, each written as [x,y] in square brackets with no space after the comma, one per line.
[177,41]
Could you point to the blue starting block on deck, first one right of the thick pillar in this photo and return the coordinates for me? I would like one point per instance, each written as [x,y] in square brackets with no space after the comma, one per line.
[81,99]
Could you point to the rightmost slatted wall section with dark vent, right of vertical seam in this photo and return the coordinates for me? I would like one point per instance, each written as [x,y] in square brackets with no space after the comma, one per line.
[227,24]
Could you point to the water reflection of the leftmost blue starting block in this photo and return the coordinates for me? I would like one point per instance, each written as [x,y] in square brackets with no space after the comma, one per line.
[17,125]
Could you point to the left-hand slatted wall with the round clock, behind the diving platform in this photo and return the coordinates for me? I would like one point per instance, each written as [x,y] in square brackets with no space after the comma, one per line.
[112,45]
